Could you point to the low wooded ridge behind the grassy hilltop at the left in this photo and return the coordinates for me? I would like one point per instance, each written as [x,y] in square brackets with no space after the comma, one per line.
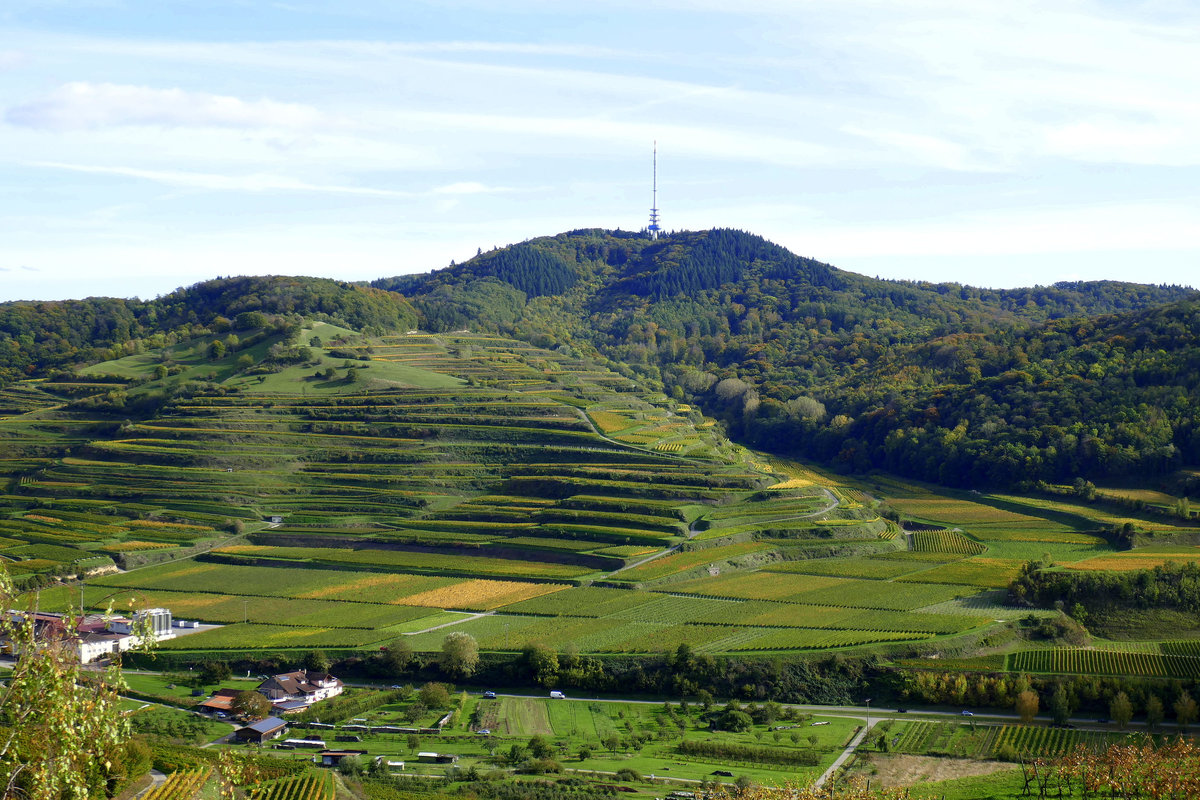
[37,338]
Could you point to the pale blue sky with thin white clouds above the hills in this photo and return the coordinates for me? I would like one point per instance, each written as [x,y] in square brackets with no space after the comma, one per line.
[147,146]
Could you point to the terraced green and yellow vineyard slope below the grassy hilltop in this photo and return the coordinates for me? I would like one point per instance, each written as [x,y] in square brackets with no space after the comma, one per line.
[442,479]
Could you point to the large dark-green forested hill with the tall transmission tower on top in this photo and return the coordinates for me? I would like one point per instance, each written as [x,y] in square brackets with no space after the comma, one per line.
[944,382]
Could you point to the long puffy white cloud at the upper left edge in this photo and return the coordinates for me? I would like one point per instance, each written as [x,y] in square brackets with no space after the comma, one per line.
[82,105]
